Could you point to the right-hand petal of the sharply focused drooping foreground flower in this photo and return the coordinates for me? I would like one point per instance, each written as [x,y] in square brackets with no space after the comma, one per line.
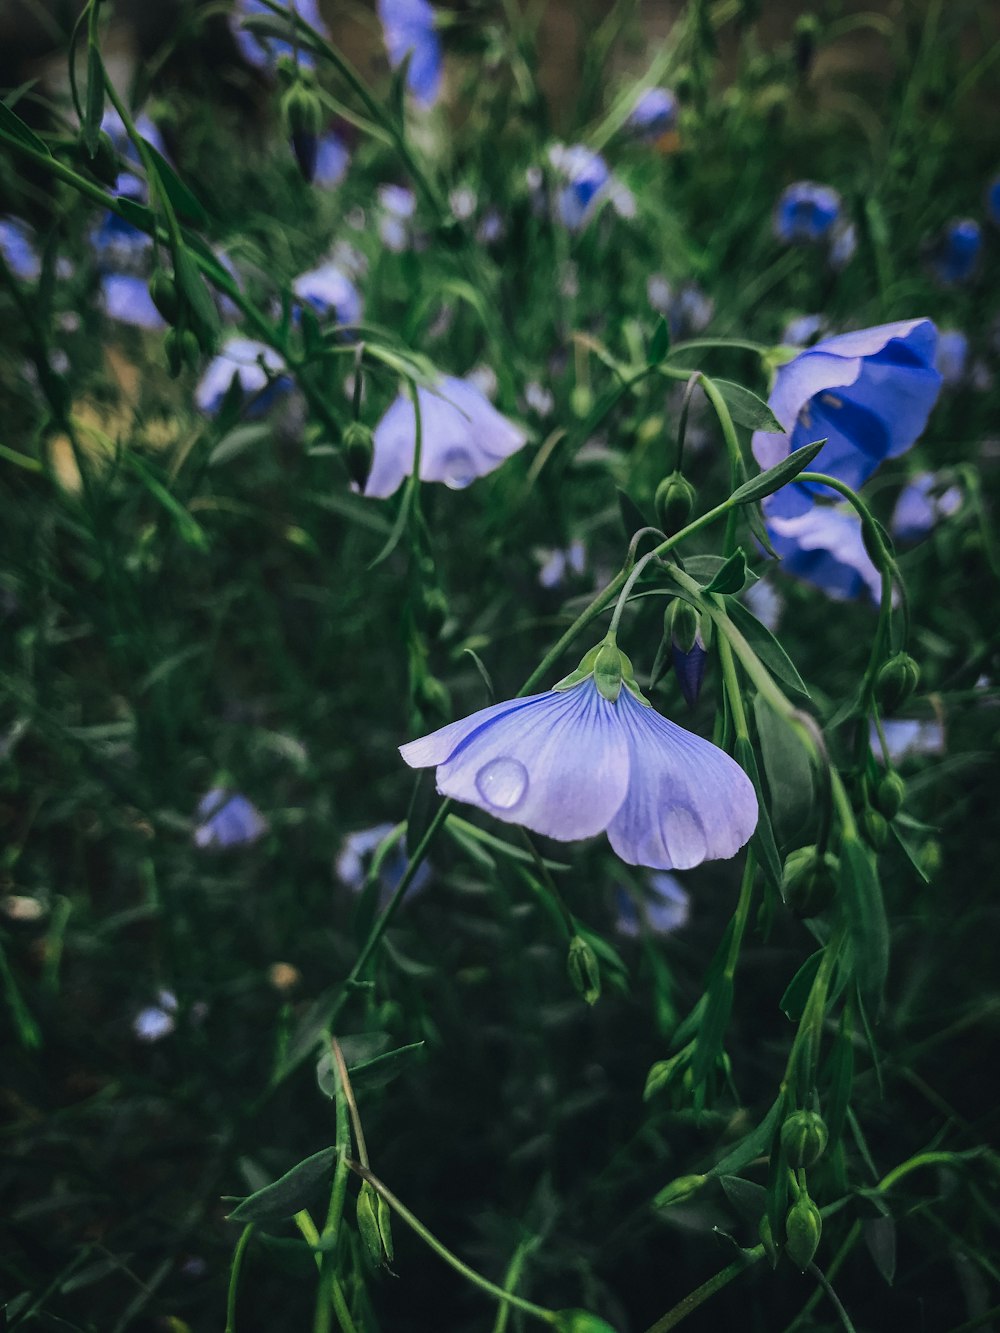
[687,800]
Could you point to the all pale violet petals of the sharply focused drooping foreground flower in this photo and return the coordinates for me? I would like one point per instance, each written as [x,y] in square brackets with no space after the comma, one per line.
[570,764]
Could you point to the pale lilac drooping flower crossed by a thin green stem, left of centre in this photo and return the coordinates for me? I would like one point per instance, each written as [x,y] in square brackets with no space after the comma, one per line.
[463,438]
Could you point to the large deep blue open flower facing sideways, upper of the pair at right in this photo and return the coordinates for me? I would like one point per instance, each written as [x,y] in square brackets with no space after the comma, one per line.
[869,394]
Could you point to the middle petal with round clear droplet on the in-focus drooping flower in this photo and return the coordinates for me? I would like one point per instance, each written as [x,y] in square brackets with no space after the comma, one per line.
[558,764]
